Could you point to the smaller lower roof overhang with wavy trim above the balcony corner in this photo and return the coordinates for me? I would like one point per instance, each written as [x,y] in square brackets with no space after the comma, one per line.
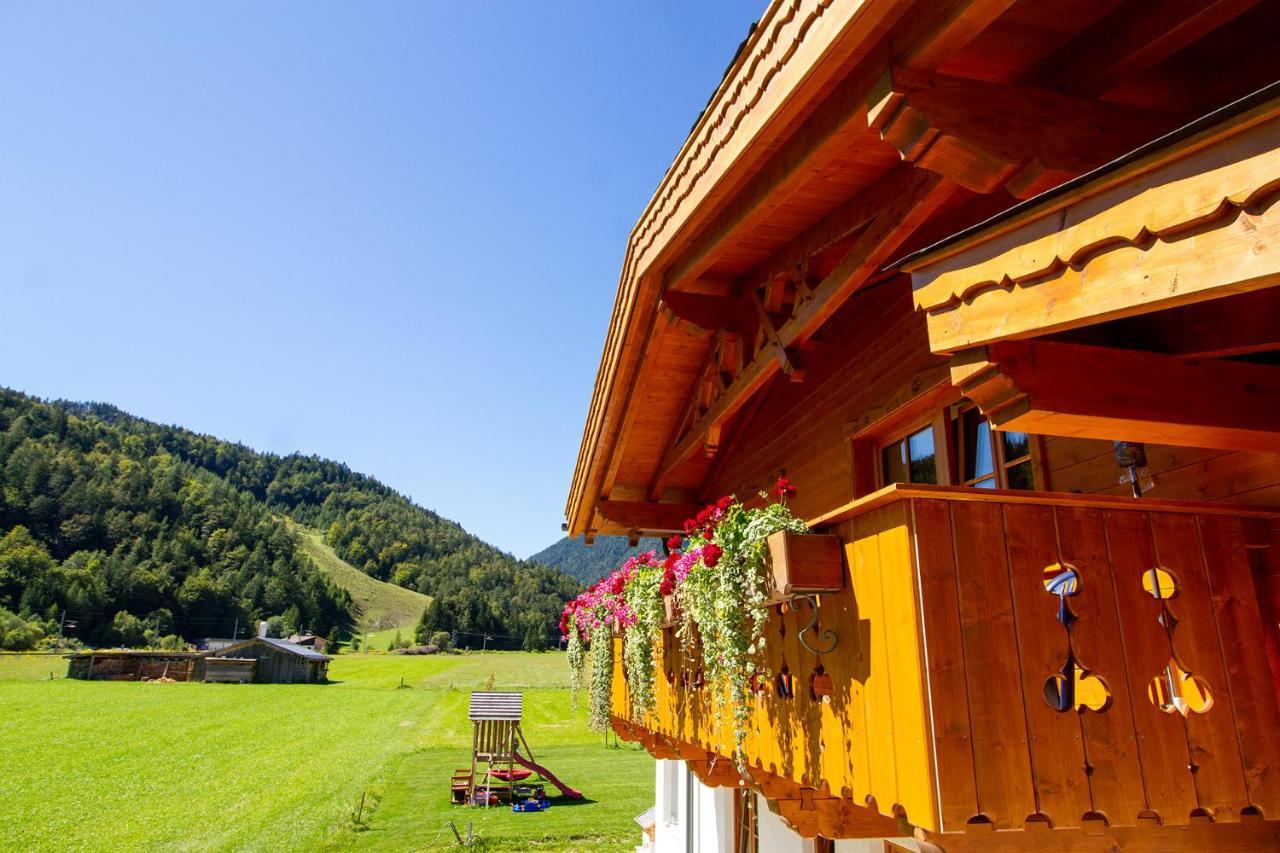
[1105,309]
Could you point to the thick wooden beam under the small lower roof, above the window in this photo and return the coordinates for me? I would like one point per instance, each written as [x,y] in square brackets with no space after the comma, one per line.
[1101,393]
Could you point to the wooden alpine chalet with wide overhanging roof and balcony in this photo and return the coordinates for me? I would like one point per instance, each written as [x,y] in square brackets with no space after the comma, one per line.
[932,259]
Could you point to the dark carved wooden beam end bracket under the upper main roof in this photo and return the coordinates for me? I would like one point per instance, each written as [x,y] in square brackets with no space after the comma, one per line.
[986,136]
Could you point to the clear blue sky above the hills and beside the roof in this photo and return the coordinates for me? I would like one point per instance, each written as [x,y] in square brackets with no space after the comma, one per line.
[388,234]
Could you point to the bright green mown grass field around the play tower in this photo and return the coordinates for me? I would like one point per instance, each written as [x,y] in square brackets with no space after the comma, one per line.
[94,767]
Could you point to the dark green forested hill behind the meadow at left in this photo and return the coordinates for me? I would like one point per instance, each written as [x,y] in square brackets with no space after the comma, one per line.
[104,514]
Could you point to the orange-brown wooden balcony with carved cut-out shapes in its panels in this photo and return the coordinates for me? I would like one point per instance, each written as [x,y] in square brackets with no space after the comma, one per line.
[957,653]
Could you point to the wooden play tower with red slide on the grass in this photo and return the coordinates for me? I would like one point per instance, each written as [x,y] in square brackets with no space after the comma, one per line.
[500,773]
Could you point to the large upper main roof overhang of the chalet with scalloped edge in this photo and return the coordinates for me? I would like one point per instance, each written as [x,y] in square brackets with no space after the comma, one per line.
[848,134]
